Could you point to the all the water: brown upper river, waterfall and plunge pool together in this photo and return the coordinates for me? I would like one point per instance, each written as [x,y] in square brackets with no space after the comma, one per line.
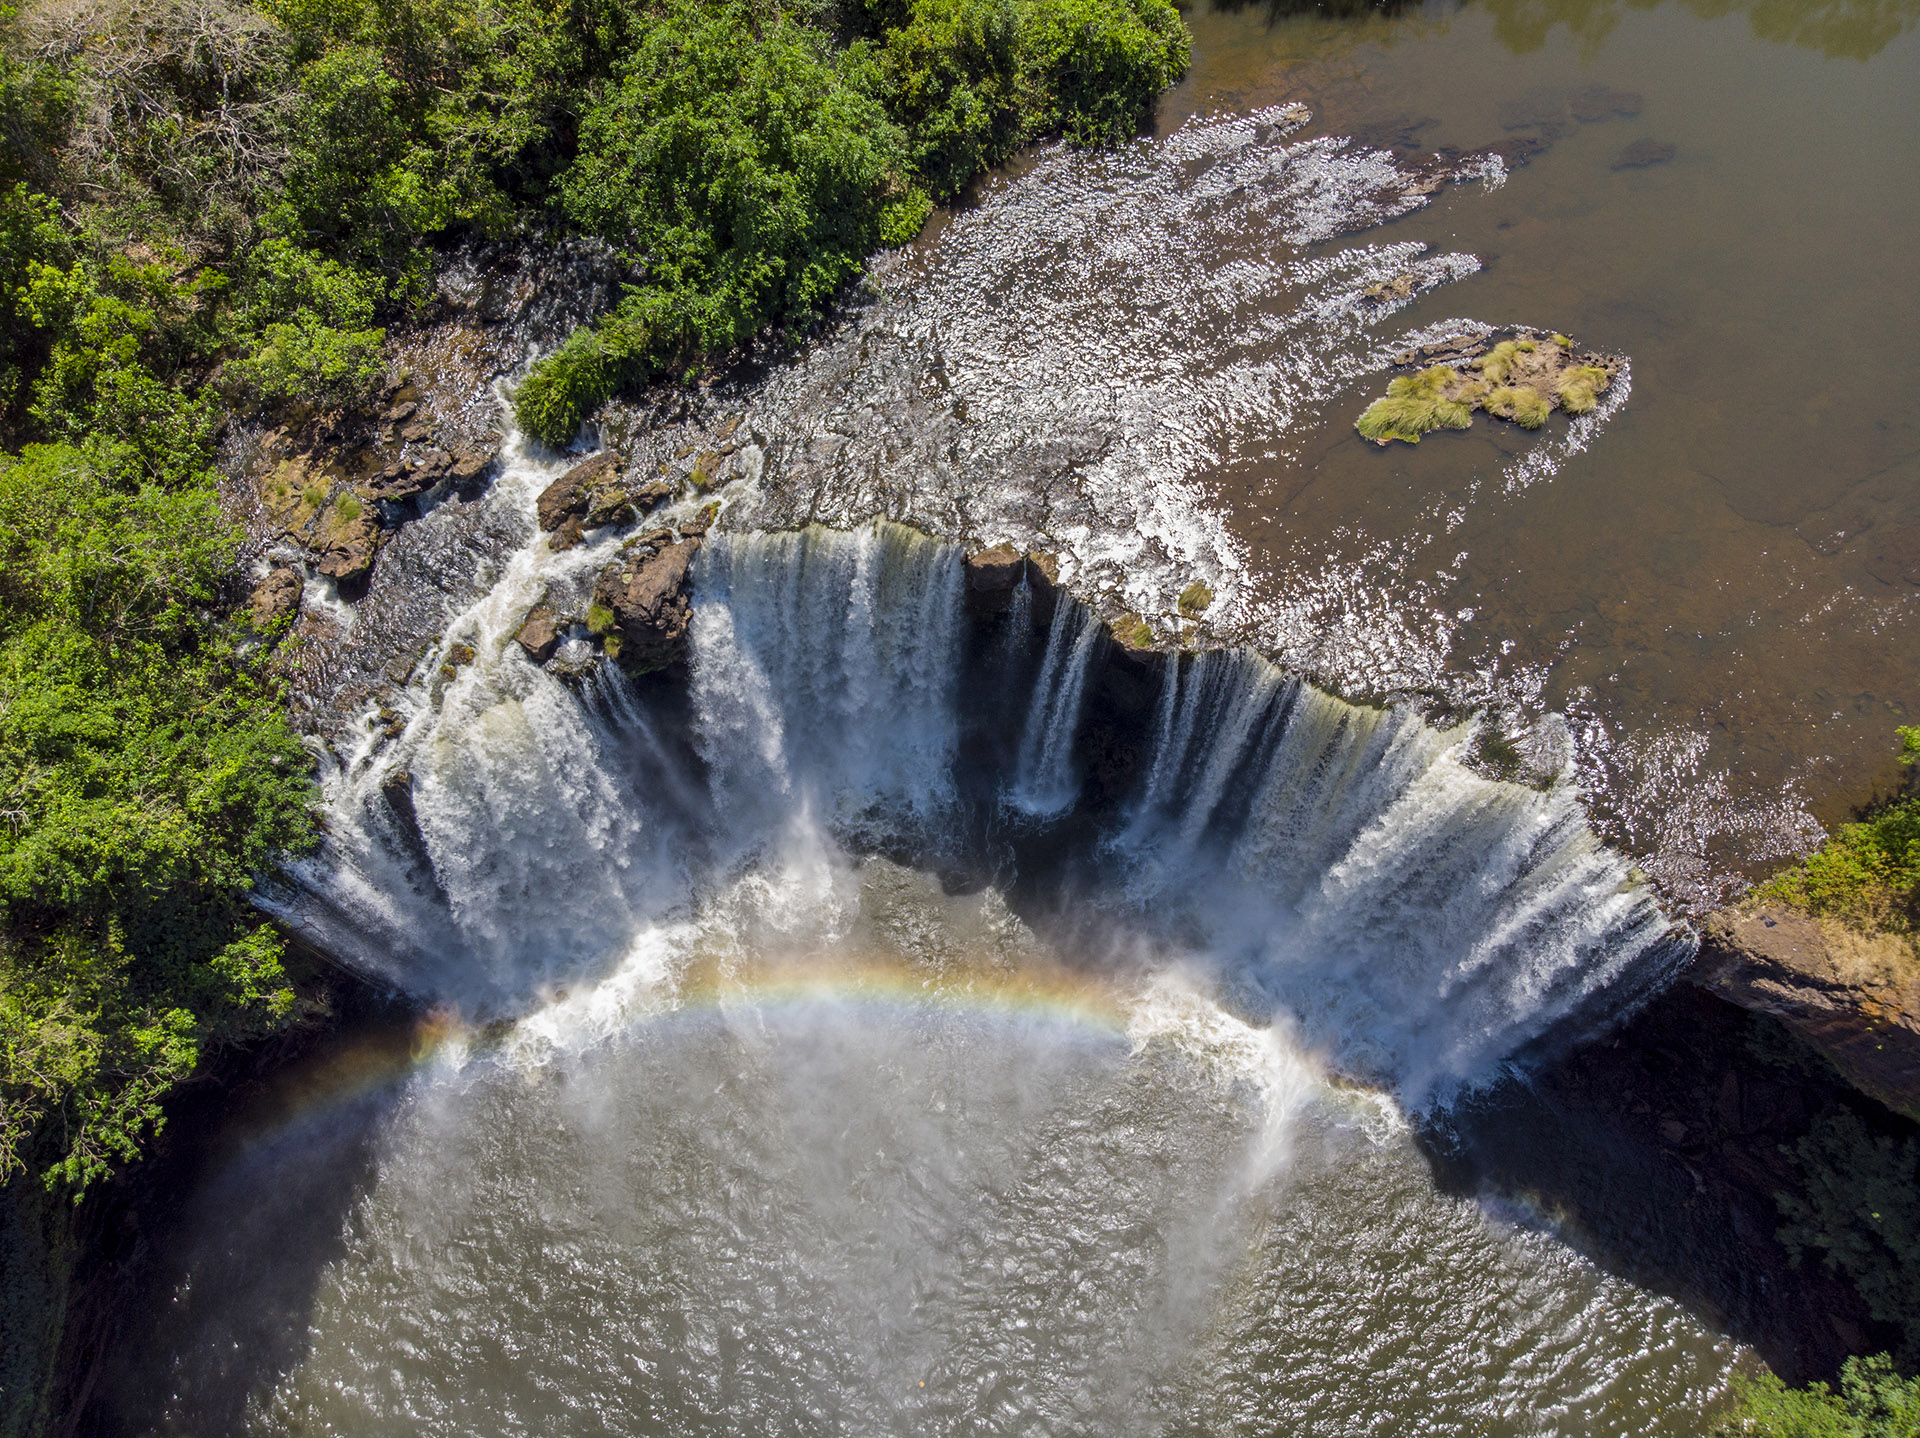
[817,1049]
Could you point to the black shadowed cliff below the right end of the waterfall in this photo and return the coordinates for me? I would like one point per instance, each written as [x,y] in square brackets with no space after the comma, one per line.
[1660,1153]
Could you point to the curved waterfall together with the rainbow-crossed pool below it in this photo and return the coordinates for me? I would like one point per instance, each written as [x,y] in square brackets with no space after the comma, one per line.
[825,1045]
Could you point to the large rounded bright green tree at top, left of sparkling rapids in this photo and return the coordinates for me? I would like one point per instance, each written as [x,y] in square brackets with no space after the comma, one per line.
[746,164]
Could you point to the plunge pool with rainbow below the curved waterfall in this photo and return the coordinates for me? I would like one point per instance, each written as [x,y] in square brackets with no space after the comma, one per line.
[853,1157]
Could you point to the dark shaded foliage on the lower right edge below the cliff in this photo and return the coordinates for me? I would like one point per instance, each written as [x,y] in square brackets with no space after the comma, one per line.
[1861,1207]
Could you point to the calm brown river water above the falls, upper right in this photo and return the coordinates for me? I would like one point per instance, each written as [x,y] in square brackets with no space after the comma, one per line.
[1721,592]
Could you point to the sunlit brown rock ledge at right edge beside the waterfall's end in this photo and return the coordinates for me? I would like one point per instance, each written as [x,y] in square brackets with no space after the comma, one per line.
[1854,997]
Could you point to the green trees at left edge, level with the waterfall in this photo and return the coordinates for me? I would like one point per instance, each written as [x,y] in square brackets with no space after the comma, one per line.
[145,780]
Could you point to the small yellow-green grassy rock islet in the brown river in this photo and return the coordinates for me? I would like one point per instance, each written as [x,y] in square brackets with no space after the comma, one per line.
[1522,381]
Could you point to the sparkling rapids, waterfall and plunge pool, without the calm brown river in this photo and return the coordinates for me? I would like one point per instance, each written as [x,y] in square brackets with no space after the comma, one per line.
[928,1020]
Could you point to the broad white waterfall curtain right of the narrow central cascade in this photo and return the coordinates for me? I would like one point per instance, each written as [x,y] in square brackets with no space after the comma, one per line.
[1341,863]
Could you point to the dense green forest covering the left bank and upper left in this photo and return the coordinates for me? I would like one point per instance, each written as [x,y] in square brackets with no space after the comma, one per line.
[216,210]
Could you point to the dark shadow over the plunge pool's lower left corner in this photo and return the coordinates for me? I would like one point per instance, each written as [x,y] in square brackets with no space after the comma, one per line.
[228,1235]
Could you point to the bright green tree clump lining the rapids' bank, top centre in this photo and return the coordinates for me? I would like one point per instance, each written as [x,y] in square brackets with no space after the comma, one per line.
[750,166]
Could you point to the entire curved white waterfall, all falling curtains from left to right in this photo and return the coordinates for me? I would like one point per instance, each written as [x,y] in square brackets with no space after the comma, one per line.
[1330,863]
